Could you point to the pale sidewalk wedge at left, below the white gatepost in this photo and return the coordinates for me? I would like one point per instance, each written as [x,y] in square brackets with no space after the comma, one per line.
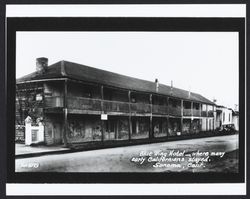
[29,151]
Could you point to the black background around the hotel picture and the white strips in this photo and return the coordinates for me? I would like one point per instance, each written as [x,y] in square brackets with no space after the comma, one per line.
[7,77]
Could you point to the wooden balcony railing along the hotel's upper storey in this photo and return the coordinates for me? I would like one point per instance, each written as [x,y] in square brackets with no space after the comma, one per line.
[82,103]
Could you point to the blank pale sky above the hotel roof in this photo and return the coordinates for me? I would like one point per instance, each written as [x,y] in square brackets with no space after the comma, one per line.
[204,62]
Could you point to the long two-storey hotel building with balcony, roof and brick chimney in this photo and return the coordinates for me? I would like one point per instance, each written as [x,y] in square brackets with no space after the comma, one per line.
[81,104]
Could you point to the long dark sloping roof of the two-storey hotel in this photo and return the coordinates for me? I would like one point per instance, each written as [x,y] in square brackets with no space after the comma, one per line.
[65,69]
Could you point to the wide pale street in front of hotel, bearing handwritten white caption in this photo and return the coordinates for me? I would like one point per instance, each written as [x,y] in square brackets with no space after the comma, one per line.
[216,154]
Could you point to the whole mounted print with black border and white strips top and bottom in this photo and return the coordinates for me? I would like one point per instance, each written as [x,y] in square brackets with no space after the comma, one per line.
[136,100]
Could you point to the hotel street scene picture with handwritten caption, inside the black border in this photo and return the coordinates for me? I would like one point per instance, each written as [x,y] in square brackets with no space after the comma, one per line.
[171,96]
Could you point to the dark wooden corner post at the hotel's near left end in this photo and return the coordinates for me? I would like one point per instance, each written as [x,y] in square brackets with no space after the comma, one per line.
[65,113]
